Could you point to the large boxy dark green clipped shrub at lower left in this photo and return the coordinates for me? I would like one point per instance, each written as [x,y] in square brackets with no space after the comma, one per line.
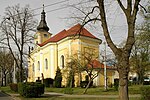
[30,89]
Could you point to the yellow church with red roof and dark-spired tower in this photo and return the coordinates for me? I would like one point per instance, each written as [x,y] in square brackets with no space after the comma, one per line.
[51,52]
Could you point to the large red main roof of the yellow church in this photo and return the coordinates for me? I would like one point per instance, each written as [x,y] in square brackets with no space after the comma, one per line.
[73,31]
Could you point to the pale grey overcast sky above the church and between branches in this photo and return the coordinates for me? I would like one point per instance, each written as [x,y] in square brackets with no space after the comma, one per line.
[57,13]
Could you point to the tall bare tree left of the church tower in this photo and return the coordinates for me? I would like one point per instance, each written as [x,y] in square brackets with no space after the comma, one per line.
[17,32]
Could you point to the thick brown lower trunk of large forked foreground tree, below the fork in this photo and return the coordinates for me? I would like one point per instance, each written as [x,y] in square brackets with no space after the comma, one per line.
[123,69]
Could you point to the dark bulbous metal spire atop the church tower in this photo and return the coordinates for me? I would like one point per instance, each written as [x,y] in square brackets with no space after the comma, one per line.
[43,25]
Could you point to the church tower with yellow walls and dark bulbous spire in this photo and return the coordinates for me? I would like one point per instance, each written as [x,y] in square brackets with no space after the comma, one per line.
[42,33]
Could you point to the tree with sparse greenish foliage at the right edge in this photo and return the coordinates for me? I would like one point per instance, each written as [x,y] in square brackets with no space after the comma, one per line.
[140,54]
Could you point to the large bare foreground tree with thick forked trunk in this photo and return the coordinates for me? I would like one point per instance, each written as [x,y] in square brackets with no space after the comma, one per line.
[129,9]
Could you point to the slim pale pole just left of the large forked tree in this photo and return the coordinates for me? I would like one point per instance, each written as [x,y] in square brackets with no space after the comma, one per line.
[105,69]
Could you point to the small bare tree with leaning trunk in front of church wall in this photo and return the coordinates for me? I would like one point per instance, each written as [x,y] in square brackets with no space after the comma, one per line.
[85,62]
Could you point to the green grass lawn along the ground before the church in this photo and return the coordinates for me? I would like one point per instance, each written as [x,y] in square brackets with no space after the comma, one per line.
[135,89]
